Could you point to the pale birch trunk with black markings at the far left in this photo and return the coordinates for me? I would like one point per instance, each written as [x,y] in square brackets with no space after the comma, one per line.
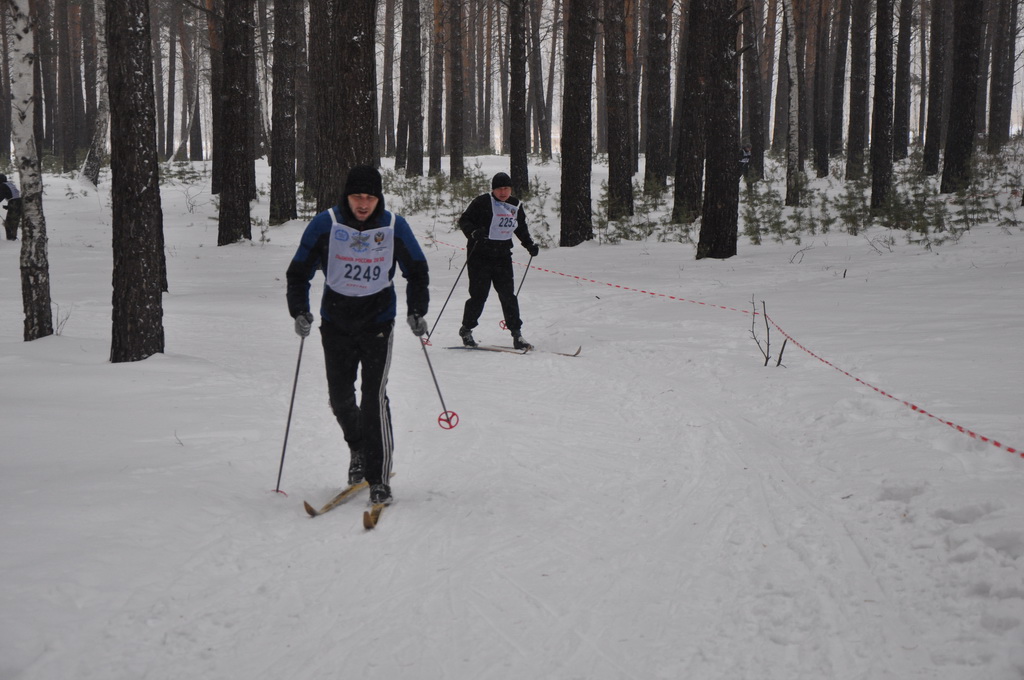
[34,261]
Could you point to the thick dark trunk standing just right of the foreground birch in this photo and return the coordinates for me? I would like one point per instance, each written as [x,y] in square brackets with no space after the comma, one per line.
[140,272]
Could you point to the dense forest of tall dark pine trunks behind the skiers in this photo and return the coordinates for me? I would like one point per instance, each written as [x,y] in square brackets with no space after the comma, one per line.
[832,88]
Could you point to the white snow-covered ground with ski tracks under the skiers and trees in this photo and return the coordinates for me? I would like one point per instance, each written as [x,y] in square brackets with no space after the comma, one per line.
[663,506]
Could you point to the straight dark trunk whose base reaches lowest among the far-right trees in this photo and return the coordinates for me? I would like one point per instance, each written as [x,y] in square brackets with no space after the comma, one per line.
[882,115]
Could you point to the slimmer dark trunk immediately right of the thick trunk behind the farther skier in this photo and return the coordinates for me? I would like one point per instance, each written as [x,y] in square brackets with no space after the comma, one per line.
[617,93]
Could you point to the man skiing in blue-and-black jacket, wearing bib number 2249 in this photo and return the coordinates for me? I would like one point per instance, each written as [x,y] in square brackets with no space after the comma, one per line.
[358,245]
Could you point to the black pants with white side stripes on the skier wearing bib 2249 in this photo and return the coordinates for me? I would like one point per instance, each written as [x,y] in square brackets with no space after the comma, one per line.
[367,427]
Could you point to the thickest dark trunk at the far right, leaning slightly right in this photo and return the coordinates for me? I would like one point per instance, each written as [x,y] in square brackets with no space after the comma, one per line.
[967,57]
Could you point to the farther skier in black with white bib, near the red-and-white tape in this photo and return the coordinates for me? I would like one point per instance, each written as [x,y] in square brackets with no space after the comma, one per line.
[490,223]
